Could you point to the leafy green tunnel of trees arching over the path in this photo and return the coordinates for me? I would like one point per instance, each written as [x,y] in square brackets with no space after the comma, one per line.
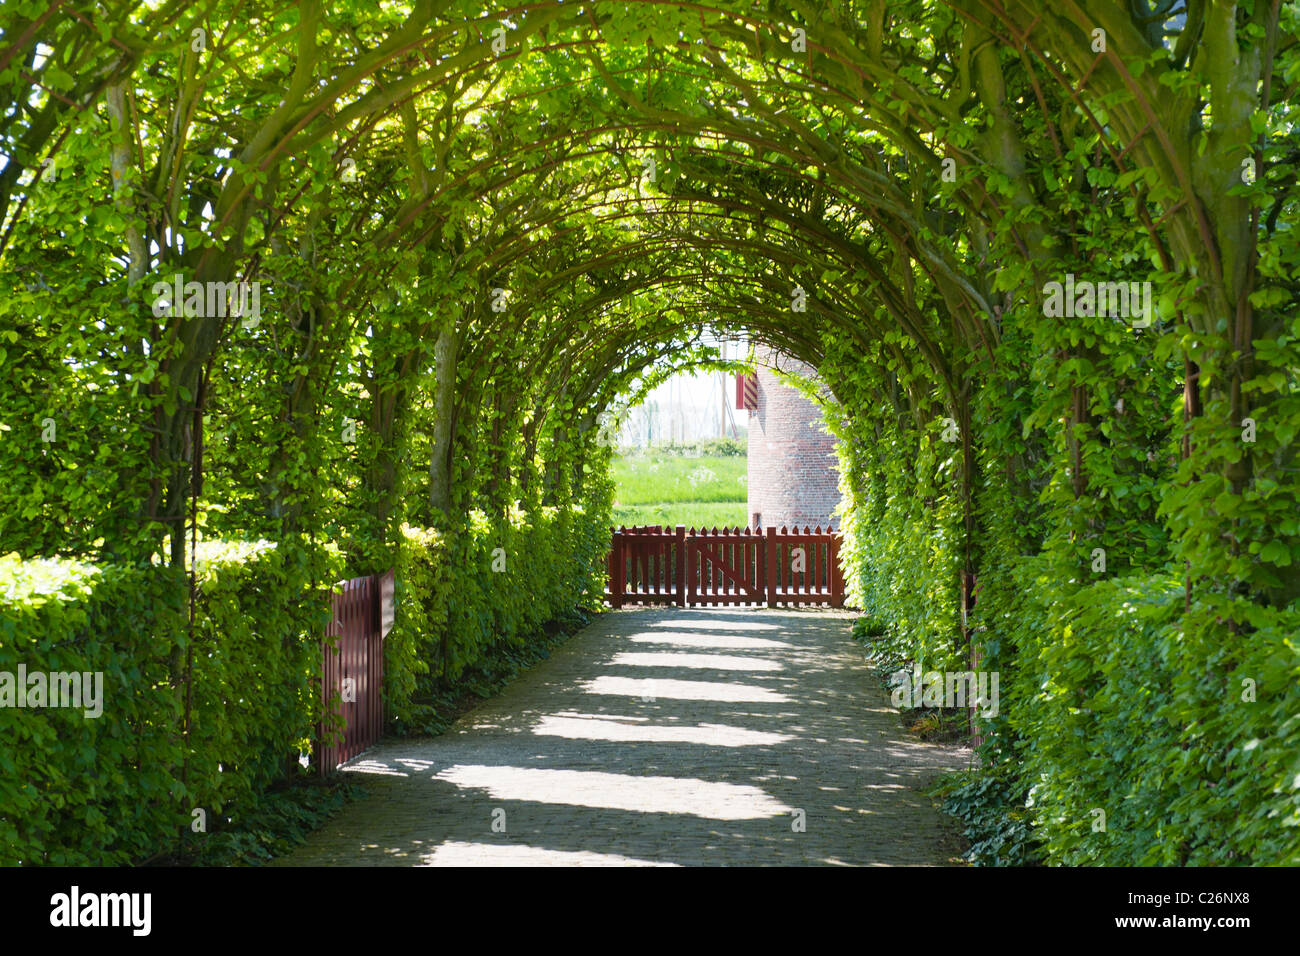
[474,235]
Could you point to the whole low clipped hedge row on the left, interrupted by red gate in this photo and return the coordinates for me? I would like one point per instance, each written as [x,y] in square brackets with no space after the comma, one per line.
[123,788]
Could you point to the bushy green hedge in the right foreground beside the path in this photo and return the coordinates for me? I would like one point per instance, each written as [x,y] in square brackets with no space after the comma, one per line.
[1181,733]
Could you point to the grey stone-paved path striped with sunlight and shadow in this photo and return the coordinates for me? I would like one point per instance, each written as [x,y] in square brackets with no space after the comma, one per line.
[664,737]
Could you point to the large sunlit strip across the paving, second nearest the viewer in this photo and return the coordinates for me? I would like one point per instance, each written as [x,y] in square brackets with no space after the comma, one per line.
[691,797]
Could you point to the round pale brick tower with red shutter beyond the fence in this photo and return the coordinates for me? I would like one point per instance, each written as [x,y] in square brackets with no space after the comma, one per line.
[794,474]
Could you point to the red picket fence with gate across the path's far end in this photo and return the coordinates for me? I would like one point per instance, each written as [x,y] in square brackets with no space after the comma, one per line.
[734,566]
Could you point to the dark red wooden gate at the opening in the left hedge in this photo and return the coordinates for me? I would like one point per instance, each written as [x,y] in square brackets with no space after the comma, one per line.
[353,671]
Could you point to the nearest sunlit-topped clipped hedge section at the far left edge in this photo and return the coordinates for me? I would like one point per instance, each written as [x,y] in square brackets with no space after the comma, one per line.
[77,790]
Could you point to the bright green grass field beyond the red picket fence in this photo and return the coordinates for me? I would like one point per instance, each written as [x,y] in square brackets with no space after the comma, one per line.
[666,490]
